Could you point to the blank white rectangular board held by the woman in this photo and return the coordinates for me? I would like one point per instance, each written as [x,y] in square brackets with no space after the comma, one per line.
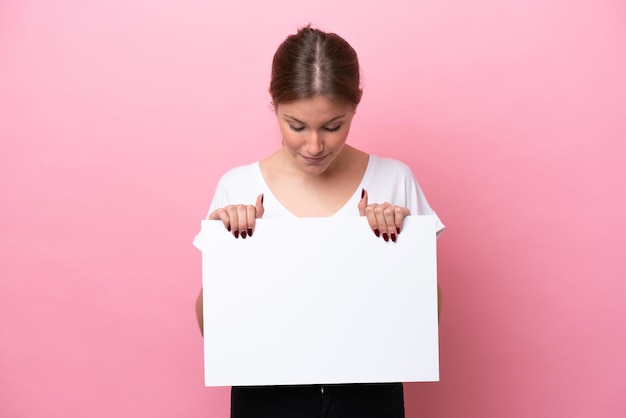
[319,301]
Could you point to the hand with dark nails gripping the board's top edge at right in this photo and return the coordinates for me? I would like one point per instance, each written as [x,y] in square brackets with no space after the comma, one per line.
[385,219]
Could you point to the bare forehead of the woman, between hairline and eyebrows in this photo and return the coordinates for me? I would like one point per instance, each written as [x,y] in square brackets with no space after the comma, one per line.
[314,109]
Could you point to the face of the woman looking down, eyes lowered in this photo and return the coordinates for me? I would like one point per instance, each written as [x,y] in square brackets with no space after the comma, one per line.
[314,132]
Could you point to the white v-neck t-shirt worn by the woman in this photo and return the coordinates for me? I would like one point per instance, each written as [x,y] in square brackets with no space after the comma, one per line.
[385,179]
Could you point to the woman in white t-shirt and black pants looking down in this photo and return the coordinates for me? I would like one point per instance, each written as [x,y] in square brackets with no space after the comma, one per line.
[315,89]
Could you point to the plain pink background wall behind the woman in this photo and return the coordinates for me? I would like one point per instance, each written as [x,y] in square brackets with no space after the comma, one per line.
[117,117]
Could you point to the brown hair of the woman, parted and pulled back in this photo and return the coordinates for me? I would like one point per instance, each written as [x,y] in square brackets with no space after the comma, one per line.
[313,62]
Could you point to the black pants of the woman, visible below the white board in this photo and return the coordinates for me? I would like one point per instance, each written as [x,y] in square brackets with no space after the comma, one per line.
[315,401]
